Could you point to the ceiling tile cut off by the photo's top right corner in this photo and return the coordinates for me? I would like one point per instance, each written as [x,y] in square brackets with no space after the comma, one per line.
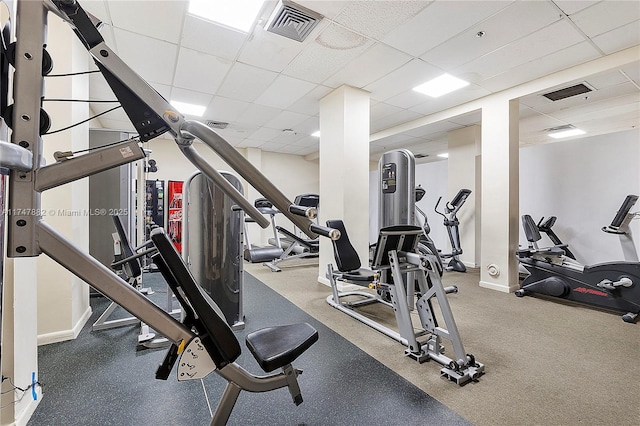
[606,16]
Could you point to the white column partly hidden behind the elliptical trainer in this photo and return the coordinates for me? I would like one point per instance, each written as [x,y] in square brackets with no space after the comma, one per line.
[464,172]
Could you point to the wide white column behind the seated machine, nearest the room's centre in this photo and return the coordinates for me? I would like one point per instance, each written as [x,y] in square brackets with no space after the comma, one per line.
[344,169]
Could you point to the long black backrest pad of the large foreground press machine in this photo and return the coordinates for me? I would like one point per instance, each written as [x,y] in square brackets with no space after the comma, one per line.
[222,345]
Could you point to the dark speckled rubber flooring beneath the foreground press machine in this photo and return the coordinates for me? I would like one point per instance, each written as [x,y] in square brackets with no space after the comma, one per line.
[100,378]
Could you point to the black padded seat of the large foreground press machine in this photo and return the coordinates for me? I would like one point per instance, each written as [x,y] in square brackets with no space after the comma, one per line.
[276,347]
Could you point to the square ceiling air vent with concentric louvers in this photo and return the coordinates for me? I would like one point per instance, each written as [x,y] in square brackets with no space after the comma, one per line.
[292,20]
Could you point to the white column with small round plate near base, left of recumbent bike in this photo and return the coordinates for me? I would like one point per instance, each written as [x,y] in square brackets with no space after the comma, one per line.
[500,194]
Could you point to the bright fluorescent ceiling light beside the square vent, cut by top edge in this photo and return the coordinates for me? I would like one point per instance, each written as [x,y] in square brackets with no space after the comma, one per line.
[238,14]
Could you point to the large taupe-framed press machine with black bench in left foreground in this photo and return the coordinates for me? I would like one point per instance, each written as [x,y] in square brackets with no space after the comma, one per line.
[203,341]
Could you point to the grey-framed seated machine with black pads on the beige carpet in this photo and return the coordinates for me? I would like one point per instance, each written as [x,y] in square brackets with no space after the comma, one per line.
[396,257]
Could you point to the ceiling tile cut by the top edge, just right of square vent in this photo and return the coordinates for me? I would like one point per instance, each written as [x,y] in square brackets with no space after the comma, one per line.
[375,19]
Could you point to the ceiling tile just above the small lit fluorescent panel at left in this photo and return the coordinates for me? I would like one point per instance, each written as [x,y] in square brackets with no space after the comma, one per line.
[200,72]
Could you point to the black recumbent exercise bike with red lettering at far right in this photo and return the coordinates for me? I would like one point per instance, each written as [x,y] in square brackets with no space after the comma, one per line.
[611,285]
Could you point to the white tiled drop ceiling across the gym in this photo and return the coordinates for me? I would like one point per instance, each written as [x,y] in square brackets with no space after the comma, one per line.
[268,87]
